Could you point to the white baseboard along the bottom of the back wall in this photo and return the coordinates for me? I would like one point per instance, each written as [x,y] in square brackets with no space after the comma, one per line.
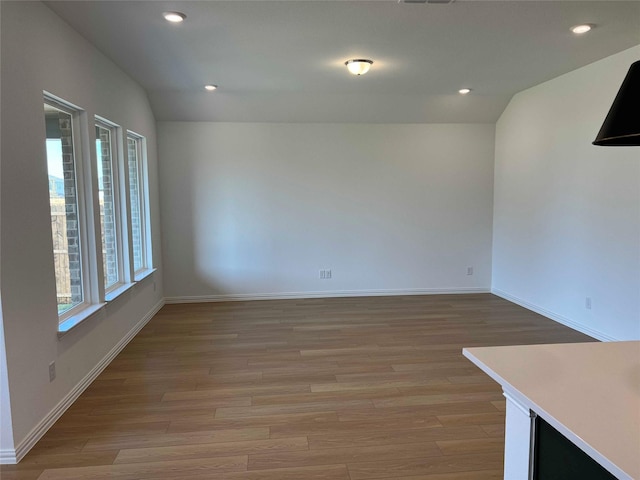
[239,297]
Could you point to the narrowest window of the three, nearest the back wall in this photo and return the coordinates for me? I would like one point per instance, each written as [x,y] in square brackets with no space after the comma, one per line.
[138,198]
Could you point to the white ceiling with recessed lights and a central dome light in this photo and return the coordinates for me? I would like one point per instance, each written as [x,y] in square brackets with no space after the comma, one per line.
[283,61]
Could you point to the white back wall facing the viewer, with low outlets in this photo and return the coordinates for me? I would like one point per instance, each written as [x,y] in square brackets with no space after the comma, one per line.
[255,210]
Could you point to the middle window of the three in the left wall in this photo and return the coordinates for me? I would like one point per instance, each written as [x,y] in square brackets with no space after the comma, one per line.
[108,200]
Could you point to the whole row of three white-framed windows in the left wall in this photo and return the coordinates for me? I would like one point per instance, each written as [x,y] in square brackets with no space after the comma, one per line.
[100,248]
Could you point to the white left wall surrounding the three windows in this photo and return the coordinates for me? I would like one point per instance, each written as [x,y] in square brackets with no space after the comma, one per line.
[40,52]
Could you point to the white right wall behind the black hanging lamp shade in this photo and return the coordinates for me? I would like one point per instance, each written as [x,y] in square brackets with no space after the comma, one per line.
[567,213]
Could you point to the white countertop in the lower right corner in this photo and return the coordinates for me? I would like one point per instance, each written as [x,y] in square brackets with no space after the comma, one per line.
[589,392]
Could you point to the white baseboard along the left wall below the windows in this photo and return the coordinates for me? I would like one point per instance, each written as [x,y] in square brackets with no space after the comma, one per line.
[14,456]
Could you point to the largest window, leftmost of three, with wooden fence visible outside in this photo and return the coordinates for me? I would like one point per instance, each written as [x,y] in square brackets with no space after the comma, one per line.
[67,212]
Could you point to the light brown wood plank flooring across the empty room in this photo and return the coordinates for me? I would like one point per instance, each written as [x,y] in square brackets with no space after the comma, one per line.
[325,389]
